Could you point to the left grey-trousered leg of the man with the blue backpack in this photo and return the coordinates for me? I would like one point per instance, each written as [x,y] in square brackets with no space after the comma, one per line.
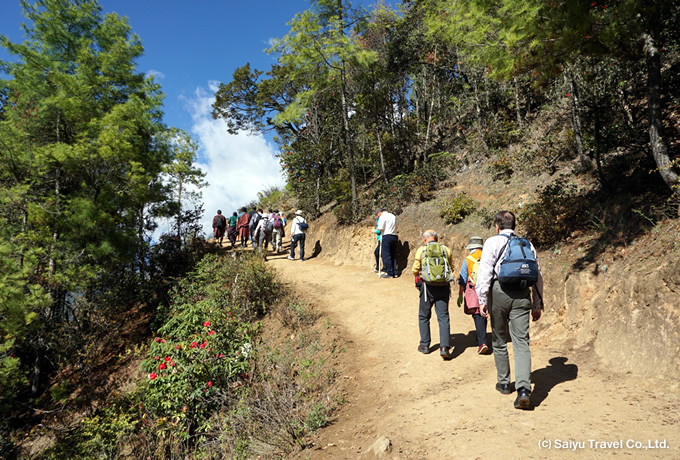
[499,306]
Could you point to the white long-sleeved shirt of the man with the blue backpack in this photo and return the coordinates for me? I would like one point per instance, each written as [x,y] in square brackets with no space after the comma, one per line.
[488,271]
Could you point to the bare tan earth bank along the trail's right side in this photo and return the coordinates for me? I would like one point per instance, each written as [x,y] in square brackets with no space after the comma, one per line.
[618,295]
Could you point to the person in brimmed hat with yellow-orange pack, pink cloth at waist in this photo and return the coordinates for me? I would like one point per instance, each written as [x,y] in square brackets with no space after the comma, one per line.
[467,295]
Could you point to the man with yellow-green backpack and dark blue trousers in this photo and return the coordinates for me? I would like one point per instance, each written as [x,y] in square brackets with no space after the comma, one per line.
[433,272]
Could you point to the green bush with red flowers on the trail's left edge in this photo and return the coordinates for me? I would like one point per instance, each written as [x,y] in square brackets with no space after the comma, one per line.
[205,345]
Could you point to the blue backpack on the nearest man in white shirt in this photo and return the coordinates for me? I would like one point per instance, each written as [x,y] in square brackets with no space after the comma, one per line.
[518,269]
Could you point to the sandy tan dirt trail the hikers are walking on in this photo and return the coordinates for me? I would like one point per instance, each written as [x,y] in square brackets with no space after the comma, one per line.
[432,409]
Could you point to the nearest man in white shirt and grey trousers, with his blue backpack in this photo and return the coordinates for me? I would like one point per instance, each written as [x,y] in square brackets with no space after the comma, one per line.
[509,274]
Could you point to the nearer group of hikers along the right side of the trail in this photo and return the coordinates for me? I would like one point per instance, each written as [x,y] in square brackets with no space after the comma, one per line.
[499,279]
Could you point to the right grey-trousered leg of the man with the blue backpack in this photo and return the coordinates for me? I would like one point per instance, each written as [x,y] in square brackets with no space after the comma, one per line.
[519,333]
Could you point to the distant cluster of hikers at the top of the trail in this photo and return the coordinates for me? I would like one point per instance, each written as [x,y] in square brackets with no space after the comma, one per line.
[261,228]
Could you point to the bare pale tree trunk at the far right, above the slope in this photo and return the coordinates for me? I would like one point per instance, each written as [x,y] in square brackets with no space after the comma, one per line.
[654,115]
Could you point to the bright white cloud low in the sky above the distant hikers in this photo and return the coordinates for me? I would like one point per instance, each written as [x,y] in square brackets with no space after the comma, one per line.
[237,166]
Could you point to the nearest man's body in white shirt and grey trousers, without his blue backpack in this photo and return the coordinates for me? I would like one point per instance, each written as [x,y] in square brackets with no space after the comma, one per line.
[509,310]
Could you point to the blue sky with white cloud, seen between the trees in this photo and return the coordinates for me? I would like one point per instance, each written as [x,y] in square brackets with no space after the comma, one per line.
[191,46]
